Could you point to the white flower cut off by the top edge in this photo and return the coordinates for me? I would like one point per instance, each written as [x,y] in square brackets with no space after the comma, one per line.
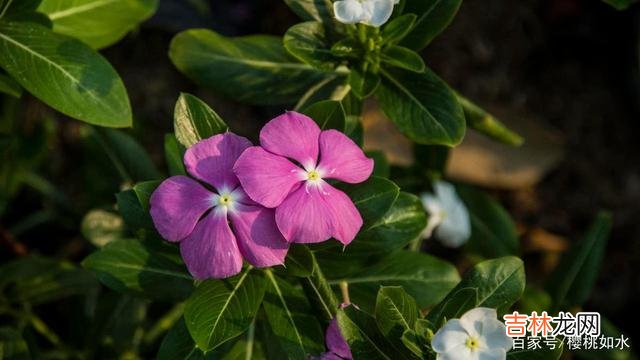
[370,12]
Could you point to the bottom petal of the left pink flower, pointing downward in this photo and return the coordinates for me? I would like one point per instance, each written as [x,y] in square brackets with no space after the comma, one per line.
[211,250]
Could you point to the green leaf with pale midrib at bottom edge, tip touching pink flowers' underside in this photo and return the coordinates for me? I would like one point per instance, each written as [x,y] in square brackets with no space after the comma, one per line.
[291,319]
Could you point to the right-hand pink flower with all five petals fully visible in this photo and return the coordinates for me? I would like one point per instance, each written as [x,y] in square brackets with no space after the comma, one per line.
[288,173]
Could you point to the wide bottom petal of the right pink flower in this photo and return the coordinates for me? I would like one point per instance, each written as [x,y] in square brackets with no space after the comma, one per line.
[315,213]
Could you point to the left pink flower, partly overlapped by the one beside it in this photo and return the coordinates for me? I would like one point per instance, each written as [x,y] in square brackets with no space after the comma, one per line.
[213,244]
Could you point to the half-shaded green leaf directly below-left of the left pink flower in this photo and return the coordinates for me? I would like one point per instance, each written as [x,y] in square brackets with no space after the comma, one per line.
[147,268]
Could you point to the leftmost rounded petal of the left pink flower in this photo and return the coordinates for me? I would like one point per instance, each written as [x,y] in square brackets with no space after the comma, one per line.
[177,205]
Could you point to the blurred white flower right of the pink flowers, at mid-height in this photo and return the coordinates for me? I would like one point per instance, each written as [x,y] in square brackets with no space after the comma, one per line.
[447,215]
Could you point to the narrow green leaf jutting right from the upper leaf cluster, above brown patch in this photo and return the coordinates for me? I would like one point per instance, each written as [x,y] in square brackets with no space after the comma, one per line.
[485,123]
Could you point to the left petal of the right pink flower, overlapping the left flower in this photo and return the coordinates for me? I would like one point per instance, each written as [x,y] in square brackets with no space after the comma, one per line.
[267,178]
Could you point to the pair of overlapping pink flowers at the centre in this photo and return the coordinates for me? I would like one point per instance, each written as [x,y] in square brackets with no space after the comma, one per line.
[250,202]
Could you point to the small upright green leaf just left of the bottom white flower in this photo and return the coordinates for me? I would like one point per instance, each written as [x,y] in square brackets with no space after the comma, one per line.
[396,312]
